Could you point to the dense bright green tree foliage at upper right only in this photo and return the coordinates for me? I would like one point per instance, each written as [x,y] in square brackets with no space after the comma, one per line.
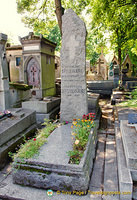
[119,19]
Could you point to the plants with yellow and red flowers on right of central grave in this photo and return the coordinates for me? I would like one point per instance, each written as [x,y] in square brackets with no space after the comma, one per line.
[80,133]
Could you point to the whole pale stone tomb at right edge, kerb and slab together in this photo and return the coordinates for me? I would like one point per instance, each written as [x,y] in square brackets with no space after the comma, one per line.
[126,137]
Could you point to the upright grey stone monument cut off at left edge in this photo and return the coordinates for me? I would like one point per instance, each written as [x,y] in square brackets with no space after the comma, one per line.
[4,79]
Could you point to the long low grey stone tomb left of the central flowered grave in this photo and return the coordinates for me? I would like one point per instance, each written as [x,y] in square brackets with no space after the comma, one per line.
[12,131]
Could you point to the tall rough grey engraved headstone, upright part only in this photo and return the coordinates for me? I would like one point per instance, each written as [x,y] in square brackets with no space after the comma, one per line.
[73,67]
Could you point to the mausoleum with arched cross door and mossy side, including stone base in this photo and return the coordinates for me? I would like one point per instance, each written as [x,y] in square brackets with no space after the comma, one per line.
[39,67]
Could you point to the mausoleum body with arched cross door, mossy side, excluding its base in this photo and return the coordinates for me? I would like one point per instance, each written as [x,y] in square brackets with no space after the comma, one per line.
[39,65]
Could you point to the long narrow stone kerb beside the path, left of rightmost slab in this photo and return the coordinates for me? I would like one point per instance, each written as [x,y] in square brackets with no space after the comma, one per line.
[125,179]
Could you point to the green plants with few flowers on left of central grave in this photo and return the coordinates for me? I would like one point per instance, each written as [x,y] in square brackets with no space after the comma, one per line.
[32,146]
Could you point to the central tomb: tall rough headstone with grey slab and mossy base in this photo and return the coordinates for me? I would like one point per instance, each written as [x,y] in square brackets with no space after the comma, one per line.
[51,167]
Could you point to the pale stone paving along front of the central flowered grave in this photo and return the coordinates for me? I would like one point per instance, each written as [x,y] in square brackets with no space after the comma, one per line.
[18,192]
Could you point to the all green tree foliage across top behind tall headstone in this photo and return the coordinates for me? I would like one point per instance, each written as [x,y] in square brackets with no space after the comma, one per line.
[111,21]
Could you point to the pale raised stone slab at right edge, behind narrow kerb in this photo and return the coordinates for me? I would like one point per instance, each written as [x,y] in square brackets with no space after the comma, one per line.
[129,137]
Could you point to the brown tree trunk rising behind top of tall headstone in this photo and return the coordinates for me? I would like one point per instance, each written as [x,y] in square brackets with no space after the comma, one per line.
[59,13]
